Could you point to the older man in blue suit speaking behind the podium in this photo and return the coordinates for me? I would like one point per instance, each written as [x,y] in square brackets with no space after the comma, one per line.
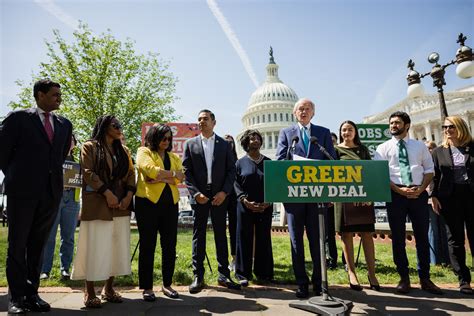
[301,215]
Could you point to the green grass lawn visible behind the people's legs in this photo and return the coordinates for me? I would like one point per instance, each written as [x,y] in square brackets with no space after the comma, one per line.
[385,267]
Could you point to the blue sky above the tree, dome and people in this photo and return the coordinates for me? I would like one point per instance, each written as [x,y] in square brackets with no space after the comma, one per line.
[349,57]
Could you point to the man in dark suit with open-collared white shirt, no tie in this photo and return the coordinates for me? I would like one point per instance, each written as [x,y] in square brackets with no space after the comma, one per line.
[209,168]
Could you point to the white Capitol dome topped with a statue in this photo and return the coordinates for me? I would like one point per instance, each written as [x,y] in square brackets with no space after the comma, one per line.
[270,109]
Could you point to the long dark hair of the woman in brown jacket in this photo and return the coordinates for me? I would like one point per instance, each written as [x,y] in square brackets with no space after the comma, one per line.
[101,167]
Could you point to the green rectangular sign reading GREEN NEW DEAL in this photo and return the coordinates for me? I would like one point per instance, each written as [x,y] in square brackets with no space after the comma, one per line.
[314,181]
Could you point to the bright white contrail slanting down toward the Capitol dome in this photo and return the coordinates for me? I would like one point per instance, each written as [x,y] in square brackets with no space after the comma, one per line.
[233,40]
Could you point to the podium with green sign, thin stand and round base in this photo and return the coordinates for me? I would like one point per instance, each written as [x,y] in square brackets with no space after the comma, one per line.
[321,181]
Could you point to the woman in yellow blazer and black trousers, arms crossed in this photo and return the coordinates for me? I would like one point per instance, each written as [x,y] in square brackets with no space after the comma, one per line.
[156,207]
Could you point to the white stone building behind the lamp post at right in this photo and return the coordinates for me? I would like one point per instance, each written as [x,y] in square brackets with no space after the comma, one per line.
[425,113]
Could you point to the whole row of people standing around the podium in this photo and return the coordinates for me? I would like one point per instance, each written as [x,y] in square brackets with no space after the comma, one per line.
[218,184]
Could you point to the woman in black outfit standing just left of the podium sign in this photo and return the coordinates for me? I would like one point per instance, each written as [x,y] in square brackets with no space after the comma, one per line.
[254,217]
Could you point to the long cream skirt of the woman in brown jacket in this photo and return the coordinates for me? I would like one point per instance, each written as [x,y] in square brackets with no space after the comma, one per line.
[103,250]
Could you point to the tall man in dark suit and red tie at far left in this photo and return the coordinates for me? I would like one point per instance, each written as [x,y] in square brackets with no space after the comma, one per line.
[34,144]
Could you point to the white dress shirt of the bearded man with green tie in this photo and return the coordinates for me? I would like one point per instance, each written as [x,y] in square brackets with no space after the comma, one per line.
[419,158]
